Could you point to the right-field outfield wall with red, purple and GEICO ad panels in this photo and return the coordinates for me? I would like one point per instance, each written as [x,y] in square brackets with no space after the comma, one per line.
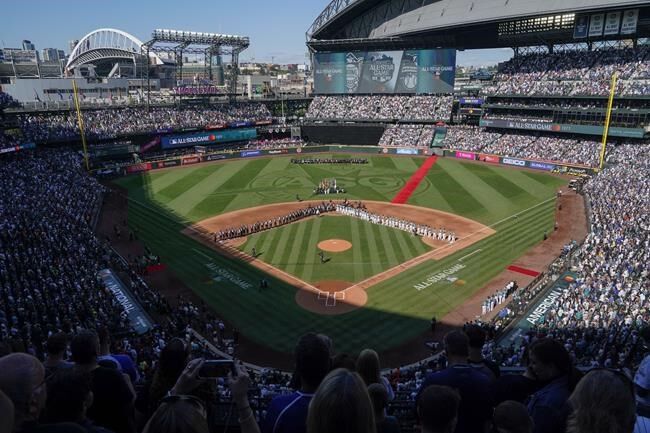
[553,167]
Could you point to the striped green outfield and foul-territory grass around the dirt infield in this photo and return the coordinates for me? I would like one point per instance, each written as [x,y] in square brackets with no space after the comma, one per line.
[166,201]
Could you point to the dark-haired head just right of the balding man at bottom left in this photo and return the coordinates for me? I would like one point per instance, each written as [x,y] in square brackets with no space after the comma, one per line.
[68,396]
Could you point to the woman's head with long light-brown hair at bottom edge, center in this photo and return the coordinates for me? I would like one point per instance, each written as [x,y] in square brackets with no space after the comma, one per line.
[341,404]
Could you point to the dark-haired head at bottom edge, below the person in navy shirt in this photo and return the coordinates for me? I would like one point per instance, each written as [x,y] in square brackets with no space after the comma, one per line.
[438,409]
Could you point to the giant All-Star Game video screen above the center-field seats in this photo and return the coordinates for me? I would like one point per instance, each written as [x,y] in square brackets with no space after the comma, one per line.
[370,72]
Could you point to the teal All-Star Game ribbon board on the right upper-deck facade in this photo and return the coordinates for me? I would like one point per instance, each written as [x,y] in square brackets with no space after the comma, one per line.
[563,127]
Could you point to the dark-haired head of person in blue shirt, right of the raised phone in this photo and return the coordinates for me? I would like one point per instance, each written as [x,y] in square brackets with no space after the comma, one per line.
[312,360]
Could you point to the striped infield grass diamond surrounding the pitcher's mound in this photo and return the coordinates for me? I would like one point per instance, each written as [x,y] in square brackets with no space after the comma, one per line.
[377,249]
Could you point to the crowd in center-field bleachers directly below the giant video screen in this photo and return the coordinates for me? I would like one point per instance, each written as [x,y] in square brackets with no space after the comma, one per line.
[381,108]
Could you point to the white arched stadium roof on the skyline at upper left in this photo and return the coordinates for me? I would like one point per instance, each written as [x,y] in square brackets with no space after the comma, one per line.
[107,44]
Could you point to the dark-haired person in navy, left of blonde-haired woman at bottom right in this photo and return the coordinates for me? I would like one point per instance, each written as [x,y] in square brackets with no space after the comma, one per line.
[549,363]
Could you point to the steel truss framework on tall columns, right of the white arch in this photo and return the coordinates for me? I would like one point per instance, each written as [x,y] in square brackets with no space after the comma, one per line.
[208,44]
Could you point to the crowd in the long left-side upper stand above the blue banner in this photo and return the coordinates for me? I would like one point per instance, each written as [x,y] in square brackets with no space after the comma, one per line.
[107,123]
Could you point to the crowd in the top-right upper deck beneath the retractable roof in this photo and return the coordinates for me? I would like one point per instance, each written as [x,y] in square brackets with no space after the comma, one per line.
[575,73]
